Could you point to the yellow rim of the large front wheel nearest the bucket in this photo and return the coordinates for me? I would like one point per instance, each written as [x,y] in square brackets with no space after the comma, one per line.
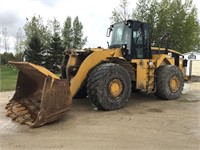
[115,88]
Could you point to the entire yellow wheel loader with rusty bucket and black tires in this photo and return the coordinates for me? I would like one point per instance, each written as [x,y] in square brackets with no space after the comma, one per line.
[106,76]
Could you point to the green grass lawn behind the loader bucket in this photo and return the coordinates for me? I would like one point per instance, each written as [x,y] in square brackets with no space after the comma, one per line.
[8,78]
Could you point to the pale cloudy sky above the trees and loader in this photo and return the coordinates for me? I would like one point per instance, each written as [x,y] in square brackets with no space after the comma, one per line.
[94,14]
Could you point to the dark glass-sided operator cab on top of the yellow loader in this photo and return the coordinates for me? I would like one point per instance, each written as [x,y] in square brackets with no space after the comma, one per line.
[133,37]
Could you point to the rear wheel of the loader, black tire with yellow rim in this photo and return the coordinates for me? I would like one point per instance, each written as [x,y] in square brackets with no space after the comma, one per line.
[165,75]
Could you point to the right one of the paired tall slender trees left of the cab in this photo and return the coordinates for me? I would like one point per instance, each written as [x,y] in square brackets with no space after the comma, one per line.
[78,40]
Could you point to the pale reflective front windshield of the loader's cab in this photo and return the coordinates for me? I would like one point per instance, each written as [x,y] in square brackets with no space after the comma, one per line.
[120,34]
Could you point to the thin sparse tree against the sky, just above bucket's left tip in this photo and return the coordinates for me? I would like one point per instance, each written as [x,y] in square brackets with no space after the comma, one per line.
[19,45]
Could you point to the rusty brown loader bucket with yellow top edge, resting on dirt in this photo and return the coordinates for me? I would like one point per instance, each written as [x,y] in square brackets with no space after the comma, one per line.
[40,96]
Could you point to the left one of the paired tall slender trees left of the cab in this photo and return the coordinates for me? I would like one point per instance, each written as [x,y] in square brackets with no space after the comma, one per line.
[67,33]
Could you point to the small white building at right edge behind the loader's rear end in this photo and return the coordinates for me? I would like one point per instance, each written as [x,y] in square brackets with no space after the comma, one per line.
[193,64]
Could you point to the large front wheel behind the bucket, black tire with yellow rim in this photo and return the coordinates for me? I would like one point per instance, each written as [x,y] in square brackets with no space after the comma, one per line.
[100,81]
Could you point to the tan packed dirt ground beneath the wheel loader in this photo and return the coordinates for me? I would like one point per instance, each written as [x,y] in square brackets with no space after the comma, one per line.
[145,123]
